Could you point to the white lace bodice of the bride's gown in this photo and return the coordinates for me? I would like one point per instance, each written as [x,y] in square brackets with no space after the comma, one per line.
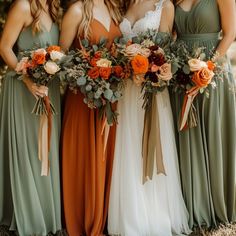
[151,20]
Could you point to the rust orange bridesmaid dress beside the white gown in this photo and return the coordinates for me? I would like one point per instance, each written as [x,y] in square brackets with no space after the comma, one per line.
[86,168]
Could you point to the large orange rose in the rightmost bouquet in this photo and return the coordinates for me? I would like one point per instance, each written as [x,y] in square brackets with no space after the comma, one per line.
[203,77]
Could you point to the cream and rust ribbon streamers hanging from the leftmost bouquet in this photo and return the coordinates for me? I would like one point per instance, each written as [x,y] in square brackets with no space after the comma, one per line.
[44,137]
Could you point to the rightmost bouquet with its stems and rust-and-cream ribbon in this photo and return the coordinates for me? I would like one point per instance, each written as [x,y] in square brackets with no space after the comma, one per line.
[194,76]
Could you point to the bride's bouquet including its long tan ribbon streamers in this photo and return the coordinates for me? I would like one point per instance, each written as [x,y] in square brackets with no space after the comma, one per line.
[152,67]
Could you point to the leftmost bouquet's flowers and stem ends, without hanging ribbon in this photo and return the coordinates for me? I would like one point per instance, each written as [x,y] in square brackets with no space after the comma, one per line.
[41,66]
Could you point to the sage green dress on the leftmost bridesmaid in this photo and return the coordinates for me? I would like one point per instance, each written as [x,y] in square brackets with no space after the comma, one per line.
[29,203]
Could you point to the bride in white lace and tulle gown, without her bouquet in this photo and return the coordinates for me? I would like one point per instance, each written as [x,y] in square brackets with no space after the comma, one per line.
[155,208]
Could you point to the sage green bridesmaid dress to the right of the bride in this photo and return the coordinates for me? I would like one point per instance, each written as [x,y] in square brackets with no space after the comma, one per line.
[207,152]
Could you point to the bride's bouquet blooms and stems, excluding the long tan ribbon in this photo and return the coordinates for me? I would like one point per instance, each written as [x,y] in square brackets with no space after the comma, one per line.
[151,62]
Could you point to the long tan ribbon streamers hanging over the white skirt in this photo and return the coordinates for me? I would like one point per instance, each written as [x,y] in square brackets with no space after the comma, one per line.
[151,145]
